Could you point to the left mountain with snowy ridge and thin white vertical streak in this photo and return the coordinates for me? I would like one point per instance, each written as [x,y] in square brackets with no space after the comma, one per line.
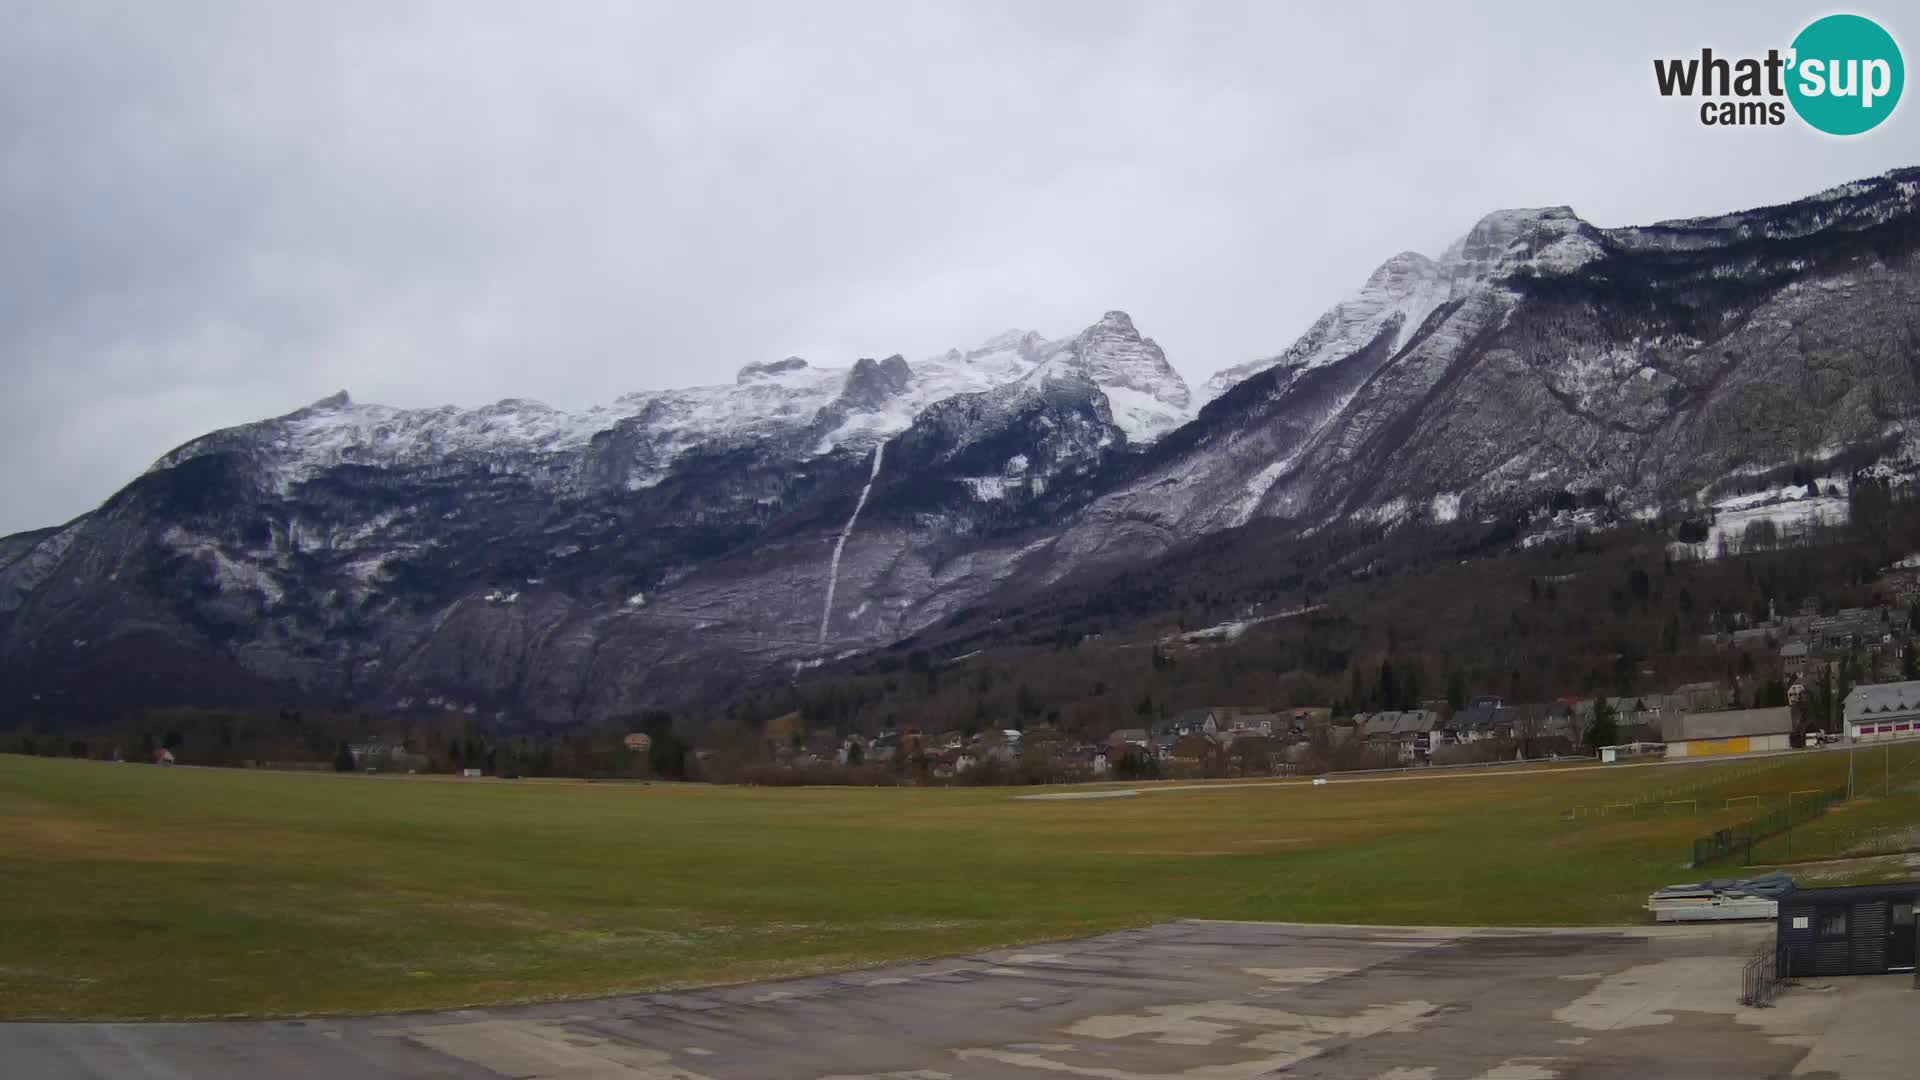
[535,566]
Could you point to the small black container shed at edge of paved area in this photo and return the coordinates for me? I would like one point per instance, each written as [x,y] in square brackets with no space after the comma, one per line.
[1848,931]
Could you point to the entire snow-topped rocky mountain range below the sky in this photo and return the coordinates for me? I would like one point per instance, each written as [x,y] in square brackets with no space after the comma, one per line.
[533,566]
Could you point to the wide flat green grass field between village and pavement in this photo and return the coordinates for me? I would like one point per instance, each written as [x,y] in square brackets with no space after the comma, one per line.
[197,893]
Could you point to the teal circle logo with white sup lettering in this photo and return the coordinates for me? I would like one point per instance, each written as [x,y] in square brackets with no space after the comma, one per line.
[1846,74]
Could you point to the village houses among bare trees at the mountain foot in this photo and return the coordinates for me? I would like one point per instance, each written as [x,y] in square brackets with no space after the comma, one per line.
[1850,674]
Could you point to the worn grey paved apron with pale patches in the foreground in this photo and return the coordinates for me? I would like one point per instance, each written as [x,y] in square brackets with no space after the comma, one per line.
[1186,1000]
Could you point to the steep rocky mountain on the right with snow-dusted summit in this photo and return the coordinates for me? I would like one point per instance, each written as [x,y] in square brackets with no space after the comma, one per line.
[1541,355]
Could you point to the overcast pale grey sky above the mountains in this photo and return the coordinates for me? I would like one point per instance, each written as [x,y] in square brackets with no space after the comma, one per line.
[218,212]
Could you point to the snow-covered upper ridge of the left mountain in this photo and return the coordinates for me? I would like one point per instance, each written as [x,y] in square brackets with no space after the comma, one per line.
[832,408]
